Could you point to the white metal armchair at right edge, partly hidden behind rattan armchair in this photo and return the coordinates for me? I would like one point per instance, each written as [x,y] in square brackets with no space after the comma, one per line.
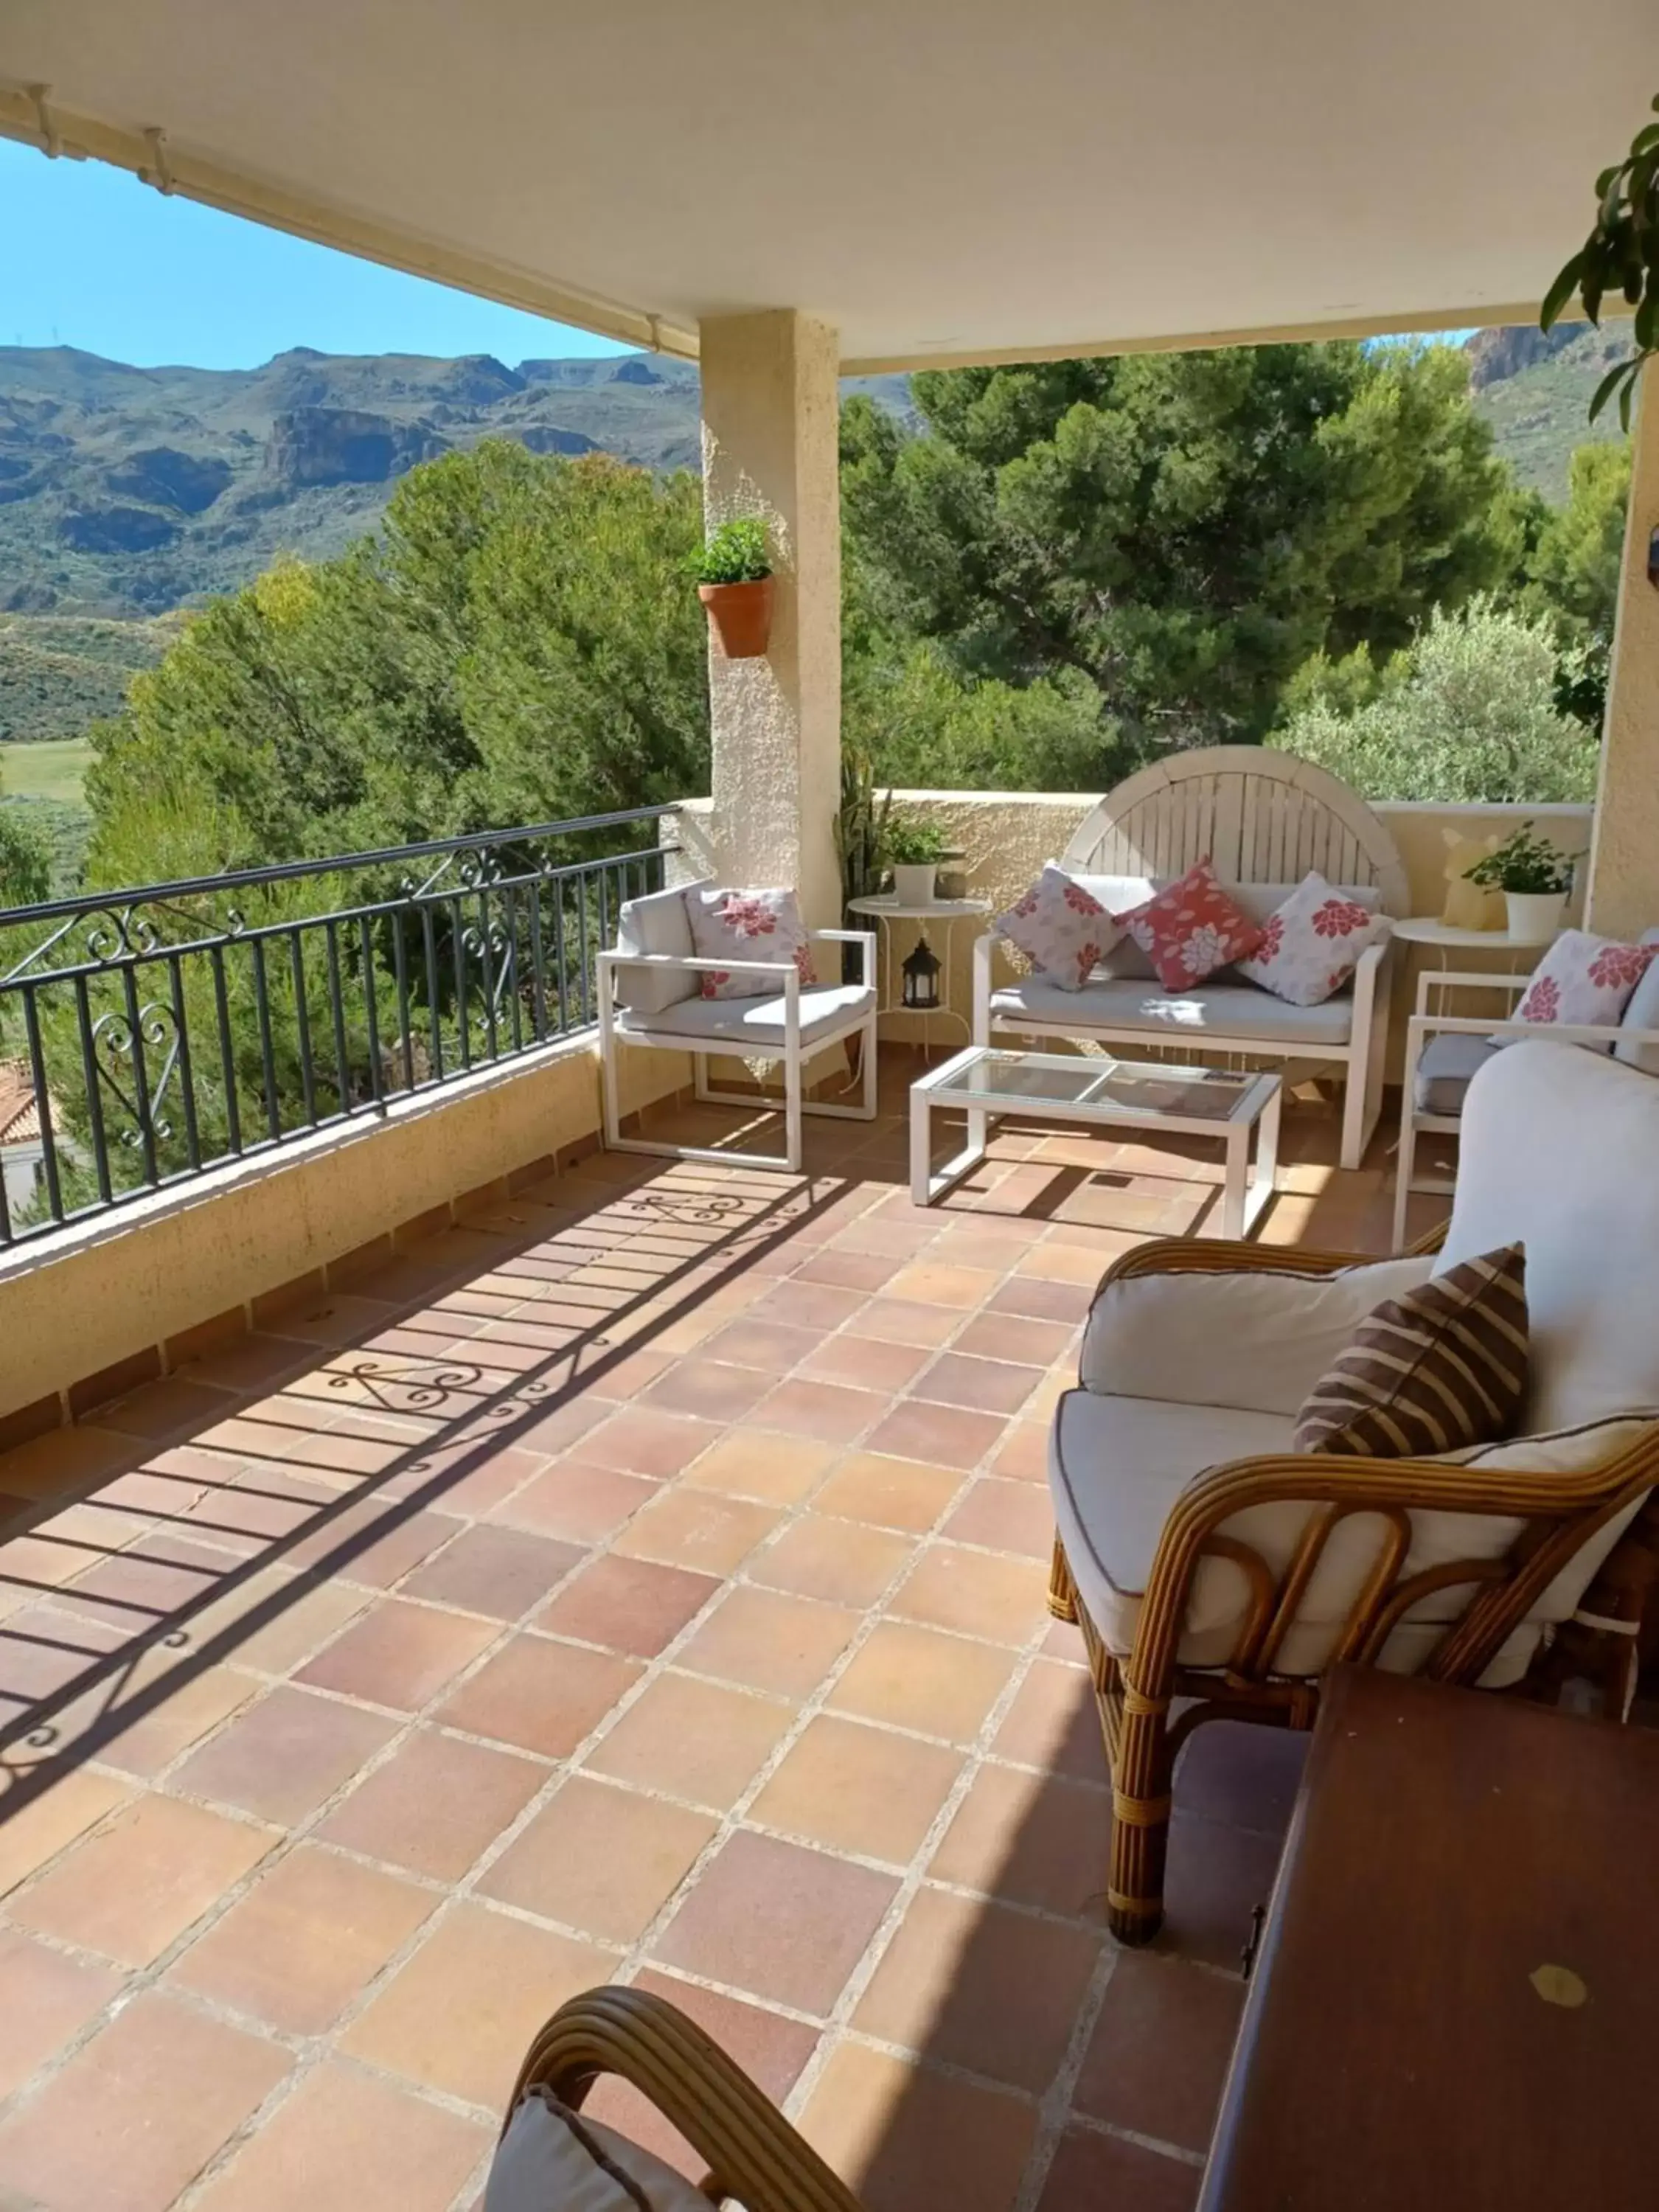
[1450,1041]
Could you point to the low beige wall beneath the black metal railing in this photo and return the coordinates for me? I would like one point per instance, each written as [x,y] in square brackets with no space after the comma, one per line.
[109,1297]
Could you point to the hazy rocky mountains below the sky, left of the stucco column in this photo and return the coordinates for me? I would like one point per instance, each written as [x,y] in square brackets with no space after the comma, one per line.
[129,492]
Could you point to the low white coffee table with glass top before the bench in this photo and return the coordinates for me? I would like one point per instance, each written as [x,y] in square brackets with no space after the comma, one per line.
[988,1083]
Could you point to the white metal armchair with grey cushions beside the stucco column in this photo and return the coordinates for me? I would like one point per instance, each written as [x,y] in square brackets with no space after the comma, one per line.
[649,992]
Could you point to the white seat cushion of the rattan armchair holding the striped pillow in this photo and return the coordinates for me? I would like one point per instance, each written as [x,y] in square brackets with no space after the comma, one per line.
[1118,1465]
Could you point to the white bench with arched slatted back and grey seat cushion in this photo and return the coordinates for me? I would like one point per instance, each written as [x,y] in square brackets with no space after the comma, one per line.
[1264,820]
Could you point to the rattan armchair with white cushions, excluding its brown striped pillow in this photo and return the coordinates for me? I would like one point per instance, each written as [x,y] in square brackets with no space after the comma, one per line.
[1218,1574]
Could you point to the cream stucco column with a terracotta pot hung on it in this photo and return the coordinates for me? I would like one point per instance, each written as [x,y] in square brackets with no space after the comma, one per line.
[771,448]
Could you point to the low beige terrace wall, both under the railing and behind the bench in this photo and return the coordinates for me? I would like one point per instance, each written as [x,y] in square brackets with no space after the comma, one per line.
[94,1311]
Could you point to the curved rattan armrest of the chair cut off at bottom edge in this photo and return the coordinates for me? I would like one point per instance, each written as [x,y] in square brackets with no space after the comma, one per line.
[751,2149]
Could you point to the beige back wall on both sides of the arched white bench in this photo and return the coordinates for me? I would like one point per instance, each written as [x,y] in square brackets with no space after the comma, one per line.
[1005,839]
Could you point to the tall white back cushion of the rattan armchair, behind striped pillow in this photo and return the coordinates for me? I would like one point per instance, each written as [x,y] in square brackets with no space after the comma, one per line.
[1561,1154]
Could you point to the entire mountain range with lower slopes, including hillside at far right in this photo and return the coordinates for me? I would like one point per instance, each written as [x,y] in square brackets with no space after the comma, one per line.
[127,494]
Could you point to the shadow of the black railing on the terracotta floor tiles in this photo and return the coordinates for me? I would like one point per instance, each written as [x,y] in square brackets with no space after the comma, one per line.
[472,1412]
